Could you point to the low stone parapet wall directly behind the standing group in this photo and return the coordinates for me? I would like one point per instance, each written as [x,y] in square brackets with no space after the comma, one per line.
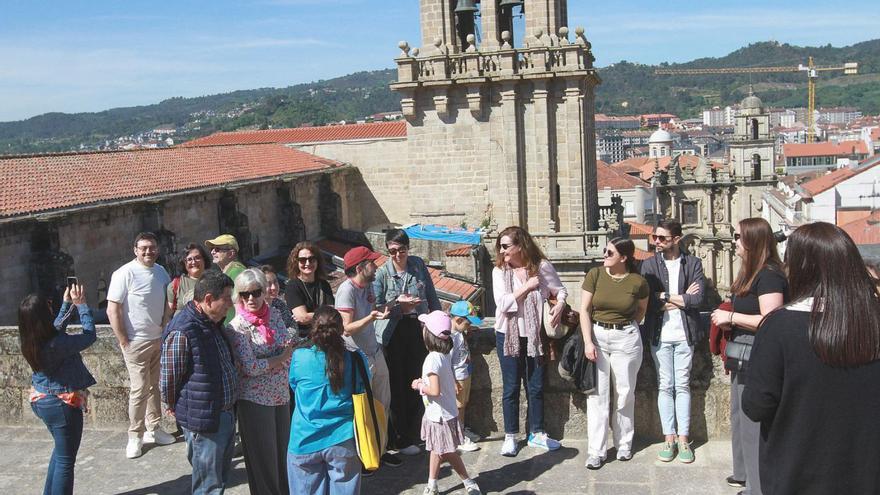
[565,408]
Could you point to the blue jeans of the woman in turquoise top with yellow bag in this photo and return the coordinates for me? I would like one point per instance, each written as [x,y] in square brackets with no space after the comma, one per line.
[335,470]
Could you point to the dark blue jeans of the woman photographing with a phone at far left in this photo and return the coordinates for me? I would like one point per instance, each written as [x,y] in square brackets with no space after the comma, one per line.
[65,425]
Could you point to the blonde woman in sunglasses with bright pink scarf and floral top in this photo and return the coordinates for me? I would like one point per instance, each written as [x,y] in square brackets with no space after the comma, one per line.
[262,345]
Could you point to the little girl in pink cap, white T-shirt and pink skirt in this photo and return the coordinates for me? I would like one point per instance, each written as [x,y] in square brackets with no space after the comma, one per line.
[441,430]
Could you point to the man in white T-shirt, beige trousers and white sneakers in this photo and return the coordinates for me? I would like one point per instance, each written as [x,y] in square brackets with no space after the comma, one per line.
[135,305]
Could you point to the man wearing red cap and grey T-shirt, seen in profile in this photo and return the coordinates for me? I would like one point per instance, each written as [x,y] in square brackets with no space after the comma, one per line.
[355,301]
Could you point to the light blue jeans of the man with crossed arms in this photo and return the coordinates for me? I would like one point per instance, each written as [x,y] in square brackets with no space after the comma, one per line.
[673,363]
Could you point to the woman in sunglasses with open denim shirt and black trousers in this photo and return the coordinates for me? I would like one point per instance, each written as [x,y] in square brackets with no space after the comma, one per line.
[404,284]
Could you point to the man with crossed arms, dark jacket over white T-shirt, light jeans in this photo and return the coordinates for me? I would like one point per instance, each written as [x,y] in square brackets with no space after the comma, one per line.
[672,324]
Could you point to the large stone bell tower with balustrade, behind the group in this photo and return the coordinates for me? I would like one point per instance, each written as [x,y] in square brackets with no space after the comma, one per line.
[501,131]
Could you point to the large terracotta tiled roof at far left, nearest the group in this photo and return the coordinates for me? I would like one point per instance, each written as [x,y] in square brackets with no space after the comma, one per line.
[38,183]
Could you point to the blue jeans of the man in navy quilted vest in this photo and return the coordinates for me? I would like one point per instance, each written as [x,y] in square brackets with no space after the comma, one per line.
[210,455]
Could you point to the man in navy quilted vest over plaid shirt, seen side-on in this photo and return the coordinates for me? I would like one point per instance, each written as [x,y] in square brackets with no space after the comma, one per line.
[198,382]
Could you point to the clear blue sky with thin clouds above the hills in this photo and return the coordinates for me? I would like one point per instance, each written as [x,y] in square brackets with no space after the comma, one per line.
[92,55]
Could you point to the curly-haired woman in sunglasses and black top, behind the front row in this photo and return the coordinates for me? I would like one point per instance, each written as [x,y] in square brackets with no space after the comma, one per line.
[307,288]
